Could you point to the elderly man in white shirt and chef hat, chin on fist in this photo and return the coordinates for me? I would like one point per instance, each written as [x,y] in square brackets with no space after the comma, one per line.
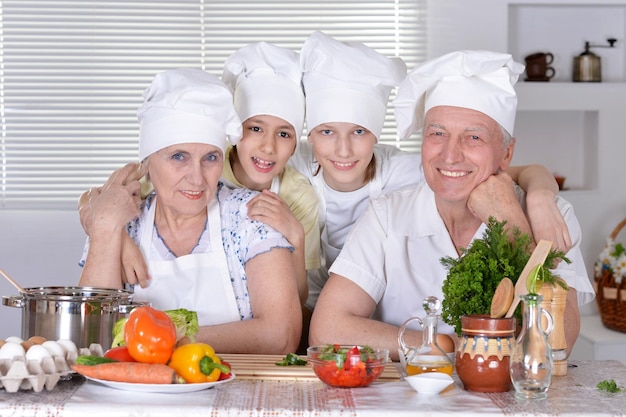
[466,104]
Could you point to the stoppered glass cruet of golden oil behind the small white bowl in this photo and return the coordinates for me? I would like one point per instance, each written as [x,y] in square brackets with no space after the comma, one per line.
[428,357]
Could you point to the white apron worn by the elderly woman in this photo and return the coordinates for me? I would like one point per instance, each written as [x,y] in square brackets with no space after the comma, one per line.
[198,282]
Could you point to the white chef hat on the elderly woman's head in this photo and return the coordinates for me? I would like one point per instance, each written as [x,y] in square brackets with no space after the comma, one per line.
[186,105]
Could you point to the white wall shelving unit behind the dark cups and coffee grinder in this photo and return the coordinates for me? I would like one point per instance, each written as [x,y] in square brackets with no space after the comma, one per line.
[563,125]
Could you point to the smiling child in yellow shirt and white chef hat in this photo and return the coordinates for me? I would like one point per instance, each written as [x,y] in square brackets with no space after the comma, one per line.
[266,83]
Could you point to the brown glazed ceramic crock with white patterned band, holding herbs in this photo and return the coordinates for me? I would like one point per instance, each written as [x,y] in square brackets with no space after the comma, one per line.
[483,356]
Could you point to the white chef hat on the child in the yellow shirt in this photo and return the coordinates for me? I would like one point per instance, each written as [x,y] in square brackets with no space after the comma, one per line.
[266,79]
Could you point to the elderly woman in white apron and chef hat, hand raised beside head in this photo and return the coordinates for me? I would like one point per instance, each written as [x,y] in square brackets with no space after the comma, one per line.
[203,252]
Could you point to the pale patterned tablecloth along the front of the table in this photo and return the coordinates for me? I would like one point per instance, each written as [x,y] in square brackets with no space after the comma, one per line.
[574,394]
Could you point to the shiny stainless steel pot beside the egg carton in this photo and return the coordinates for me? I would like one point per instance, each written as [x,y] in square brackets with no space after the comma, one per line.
[84,315]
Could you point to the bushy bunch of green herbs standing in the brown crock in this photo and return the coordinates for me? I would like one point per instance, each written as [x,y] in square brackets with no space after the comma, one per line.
[473,277]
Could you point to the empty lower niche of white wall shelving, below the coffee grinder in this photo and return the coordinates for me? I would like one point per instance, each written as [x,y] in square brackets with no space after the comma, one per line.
[569,127]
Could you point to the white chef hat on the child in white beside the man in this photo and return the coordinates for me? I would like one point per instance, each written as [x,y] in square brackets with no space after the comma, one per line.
[347,82]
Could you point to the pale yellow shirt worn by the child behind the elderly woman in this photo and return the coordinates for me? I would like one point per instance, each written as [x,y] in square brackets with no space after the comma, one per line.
[301,199]
